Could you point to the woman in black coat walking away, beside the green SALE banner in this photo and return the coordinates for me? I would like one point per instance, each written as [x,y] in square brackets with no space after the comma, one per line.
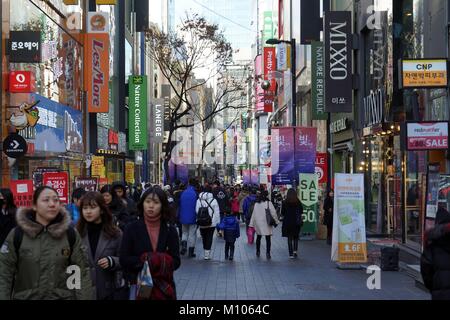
[292,211]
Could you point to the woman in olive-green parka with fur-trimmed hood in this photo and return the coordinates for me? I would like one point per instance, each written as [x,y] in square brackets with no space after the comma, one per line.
[35,258]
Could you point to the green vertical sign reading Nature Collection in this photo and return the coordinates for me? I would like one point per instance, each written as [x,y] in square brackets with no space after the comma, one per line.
[138,112]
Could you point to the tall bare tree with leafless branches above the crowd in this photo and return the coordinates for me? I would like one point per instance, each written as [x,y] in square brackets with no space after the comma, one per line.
[198,45]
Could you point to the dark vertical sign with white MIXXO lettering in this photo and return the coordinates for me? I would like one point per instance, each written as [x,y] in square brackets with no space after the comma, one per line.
[338,61]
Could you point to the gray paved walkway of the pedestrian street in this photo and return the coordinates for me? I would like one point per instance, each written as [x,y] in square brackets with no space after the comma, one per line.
[311,276]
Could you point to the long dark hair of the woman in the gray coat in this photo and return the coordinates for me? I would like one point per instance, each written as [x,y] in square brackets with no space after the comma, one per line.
[108,227]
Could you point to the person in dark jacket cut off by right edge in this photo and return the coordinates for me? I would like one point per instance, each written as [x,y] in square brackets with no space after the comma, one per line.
[435,261]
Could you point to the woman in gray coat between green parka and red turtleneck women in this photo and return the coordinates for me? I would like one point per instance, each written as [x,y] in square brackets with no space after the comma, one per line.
[102,240]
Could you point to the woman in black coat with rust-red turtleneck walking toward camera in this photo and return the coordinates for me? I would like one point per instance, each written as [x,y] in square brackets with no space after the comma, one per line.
[155,239]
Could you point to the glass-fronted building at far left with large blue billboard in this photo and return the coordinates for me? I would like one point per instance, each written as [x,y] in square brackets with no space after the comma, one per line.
[48,111]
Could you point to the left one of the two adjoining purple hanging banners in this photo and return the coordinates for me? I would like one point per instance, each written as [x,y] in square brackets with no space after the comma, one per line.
[282,156]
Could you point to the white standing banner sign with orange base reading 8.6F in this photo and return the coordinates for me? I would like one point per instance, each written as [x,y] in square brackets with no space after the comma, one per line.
[349,230]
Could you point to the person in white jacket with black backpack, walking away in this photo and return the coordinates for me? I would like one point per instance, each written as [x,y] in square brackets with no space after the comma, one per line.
[208,216]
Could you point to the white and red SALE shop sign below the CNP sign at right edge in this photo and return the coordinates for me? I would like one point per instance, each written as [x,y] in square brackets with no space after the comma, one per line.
[427,135]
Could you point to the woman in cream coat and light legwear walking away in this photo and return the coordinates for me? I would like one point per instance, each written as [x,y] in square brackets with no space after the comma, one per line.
[259,219]
